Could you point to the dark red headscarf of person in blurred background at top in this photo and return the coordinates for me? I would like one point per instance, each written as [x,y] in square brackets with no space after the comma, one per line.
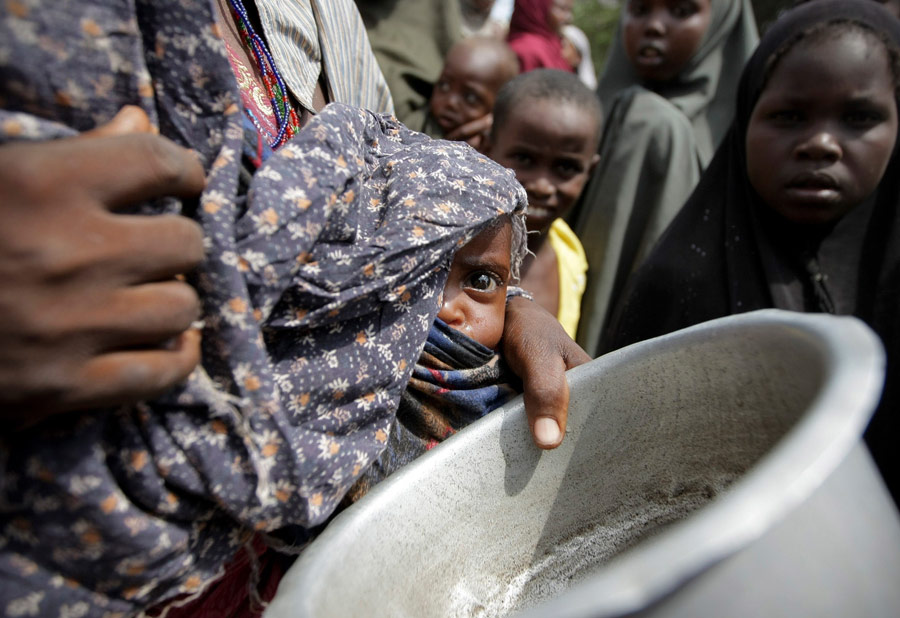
[530,36]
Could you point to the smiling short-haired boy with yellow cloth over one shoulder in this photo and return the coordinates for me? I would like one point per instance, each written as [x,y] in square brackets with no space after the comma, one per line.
[546,128]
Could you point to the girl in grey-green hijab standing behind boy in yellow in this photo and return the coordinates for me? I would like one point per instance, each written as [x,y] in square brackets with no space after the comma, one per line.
[668,92]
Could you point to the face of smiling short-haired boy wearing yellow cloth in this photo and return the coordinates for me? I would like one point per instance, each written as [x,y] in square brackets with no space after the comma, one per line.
[552,147]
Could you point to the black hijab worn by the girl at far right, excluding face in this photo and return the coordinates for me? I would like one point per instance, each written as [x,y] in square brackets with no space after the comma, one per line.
[725,253]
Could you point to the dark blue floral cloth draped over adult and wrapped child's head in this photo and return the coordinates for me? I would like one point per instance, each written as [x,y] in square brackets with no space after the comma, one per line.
[319,286]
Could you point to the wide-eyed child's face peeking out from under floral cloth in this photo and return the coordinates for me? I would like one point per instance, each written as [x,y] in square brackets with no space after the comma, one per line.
[474,300]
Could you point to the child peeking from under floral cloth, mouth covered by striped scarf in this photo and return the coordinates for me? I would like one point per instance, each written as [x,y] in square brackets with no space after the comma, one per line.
[460,376]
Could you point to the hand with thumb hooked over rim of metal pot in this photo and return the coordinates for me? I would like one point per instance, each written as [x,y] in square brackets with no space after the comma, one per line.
[540,352]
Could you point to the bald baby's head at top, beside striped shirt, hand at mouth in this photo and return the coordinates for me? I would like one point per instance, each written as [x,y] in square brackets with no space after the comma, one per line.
[467,86]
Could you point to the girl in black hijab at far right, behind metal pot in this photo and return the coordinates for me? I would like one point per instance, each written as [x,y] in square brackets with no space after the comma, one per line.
[798,209]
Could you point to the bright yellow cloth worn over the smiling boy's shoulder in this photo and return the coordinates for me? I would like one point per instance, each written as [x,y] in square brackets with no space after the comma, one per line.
[572,264]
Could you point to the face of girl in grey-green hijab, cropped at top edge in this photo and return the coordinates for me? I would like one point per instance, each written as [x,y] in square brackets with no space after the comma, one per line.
[661,36]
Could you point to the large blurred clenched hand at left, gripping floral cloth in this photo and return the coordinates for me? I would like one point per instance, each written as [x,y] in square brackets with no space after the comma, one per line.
[90,310]
